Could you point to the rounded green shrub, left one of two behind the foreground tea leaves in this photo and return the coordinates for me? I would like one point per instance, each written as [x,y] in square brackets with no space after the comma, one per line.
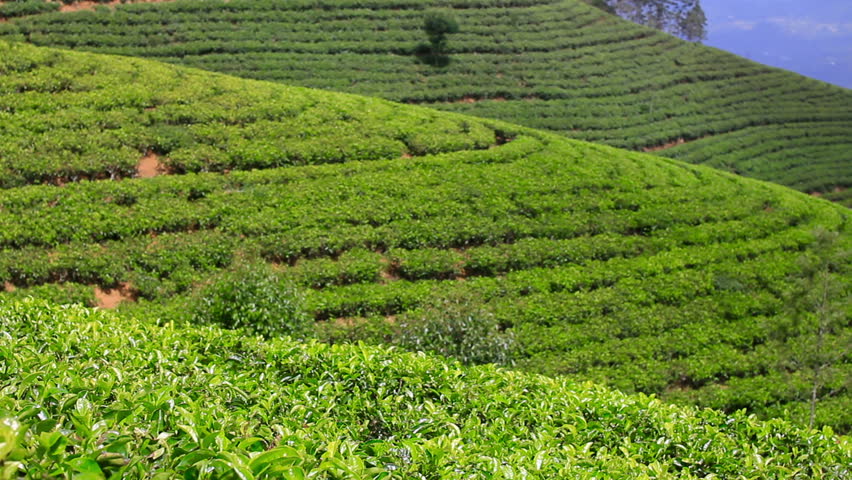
[253,298]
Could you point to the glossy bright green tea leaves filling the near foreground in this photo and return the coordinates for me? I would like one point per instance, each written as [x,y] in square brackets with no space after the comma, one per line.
[87,395]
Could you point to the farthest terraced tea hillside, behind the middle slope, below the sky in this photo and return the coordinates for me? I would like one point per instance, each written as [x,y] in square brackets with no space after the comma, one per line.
[558,65]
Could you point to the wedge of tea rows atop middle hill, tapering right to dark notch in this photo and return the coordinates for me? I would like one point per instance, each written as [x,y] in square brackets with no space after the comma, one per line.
[67,117]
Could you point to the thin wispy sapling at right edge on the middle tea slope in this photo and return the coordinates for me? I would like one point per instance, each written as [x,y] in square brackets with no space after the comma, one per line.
[816,328]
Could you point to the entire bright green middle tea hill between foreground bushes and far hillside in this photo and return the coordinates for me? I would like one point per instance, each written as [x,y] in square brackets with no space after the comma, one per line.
[392,223]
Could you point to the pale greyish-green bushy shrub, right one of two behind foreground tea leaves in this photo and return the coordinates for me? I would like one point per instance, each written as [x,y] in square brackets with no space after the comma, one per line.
[457,327]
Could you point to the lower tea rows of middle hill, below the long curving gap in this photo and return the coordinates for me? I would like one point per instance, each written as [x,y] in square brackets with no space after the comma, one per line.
[594,258]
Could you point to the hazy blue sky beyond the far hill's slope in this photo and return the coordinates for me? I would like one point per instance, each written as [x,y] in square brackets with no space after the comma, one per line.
[811,37]
